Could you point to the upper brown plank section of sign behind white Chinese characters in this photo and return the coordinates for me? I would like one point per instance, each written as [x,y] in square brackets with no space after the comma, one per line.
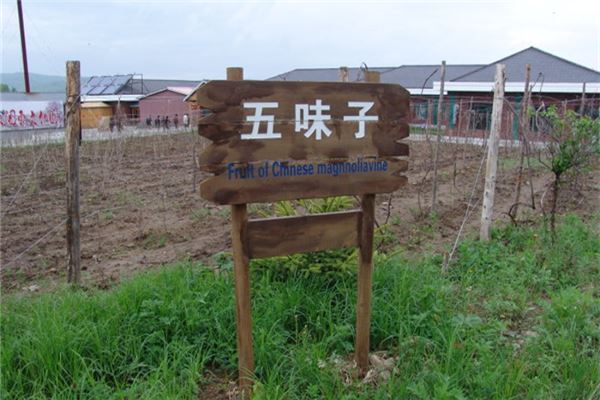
[230,120]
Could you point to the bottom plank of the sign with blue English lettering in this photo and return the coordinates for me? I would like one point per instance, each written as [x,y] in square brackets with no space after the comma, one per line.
[232,187]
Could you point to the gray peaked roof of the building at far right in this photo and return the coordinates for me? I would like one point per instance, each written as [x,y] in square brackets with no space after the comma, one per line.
[551,68]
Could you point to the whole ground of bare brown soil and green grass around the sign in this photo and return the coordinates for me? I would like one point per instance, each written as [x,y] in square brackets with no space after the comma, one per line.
[515,318]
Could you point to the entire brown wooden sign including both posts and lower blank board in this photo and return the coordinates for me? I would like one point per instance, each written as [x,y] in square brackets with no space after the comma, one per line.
[276,141]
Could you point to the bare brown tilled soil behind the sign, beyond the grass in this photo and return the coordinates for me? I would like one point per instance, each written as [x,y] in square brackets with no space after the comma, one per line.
[140,207]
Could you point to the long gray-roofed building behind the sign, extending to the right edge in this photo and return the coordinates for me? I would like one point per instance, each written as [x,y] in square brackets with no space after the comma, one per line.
[469,88]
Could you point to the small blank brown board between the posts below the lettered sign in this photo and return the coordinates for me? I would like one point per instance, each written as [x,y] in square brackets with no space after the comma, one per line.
[283,236]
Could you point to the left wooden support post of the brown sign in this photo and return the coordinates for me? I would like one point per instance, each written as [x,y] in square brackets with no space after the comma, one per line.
[241,260]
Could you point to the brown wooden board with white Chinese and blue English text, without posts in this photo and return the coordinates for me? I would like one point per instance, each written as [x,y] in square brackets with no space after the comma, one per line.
[288,140]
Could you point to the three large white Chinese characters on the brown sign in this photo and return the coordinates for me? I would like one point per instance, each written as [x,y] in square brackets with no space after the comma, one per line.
[308,118]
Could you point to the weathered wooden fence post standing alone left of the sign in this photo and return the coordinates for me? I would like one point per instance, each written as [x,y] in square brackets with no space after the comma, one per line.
[72,132]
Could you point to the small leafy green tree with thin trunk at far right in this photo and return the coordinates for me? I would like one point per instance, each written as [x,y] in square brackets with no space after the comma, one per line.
[572,143]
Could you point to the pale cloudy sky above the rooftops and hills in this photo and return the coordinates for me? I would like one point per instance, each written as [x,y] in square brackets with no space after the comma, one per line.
[199,39]
